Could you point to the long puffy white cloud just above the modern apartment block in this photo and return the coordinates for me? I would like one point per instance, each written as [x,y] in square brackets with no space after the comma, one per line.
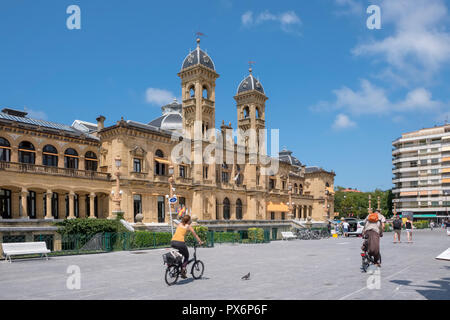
[373,100]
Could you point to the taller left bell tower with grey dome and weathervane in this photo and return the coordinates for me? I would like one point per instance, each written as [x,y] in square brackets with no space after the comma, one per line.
[198,83]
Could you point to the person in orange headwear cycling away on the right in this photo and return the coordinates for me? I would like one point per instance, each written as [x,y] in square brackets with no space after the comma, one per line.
[373,230]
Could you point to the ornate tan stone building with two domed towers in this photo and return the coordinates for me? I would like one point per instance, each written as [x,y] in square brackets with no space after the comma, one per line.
[50,170]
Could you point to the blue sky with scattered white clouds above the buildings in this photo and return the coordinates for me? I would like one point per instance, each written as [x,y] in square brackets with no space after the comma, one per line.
[338,91]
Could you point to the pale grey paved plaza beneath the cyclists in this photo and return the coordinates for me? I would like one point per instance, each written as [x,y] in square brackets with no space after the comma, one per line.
[296,269]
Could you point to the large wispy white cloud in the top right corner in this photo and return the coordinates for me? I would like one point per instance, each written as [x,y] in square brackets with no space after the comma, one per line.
[419,45]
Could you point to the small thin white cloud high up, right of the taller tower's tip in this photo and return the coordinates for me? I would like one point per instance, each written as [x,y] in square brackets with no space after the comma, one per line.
[287,20]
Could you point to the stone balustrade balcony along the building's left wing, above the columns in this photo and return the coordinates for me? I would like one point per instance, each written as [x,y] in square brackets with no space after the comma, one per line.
[54,171]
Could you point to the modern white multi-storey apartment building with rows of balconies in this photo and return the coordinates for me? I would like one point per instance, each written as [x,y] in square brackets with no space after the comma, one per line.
[421,169]
